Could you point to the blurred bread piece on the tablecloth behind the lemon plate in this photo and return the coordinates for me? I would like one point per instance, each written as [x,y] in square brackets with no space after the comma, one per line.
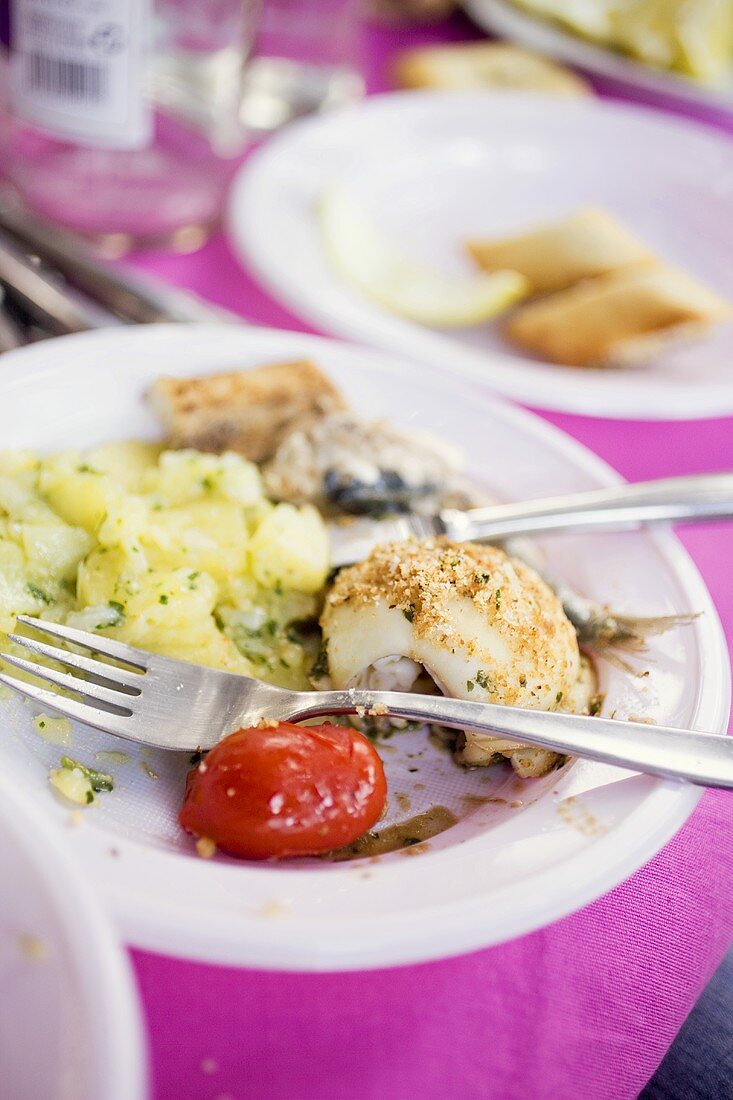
[486,65]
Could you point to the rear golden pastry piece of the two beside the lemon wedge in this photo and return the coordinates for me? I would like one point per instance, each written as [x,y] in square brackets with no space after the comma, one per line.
[554,257]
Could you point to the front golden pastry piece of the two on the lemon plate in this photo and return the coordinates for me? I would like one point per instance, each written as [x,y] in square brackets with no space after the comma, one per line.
[618,320]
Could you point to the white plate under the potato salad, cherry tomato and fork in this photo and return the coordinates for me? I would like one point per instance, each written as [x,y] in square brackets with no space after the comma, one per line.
[505,870]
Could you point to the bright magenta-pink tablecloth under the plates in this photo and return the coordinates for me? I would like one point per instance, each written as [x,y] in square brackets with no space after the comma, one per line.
[586,1008]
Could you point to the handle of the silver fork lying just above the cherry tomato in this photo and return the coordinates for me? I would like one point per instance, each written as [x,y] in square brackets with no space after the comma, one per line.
[706,760]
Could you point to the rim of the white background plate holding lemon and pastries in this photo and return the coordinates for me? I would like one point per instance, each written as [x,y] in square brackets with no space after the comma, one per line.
[248,234]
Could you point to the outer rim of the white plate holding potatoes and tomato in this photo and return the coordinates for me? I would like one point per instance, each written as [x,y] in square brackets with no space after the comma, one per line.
[254,942]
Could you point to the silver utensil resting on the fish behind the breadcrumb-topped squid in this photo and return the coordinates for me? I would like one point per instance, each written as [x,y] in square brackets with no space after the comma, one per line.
[694,499]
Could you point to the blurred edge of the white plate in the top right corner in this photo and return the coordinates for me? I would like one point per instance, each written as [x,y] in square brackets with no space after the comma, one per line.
[502,17]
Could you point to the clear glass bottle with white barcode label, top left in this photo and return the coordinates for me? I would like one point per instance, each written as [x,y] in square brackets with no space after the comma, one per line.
[125,122]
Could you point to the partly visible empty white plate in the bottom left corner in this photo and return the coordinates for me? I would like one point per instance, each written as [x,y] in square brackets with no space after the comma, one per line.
[70,1024]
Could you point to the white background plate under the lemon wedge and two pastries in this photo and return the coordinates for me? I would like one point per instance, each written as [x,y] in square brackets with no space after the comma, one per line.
[435,169]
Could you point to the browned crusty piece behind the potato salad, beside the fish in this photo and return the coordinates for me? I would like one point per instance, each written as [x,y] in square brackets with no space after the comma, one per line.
[249,412]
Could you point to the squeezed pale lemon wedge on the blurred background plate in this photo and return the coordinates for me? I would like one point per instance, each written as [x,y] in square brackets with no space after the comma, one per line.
[419,293]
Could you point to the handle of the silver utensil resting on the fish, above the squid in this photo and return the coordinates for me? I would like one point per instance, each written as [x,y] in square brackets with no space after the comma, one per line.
[668,500]
